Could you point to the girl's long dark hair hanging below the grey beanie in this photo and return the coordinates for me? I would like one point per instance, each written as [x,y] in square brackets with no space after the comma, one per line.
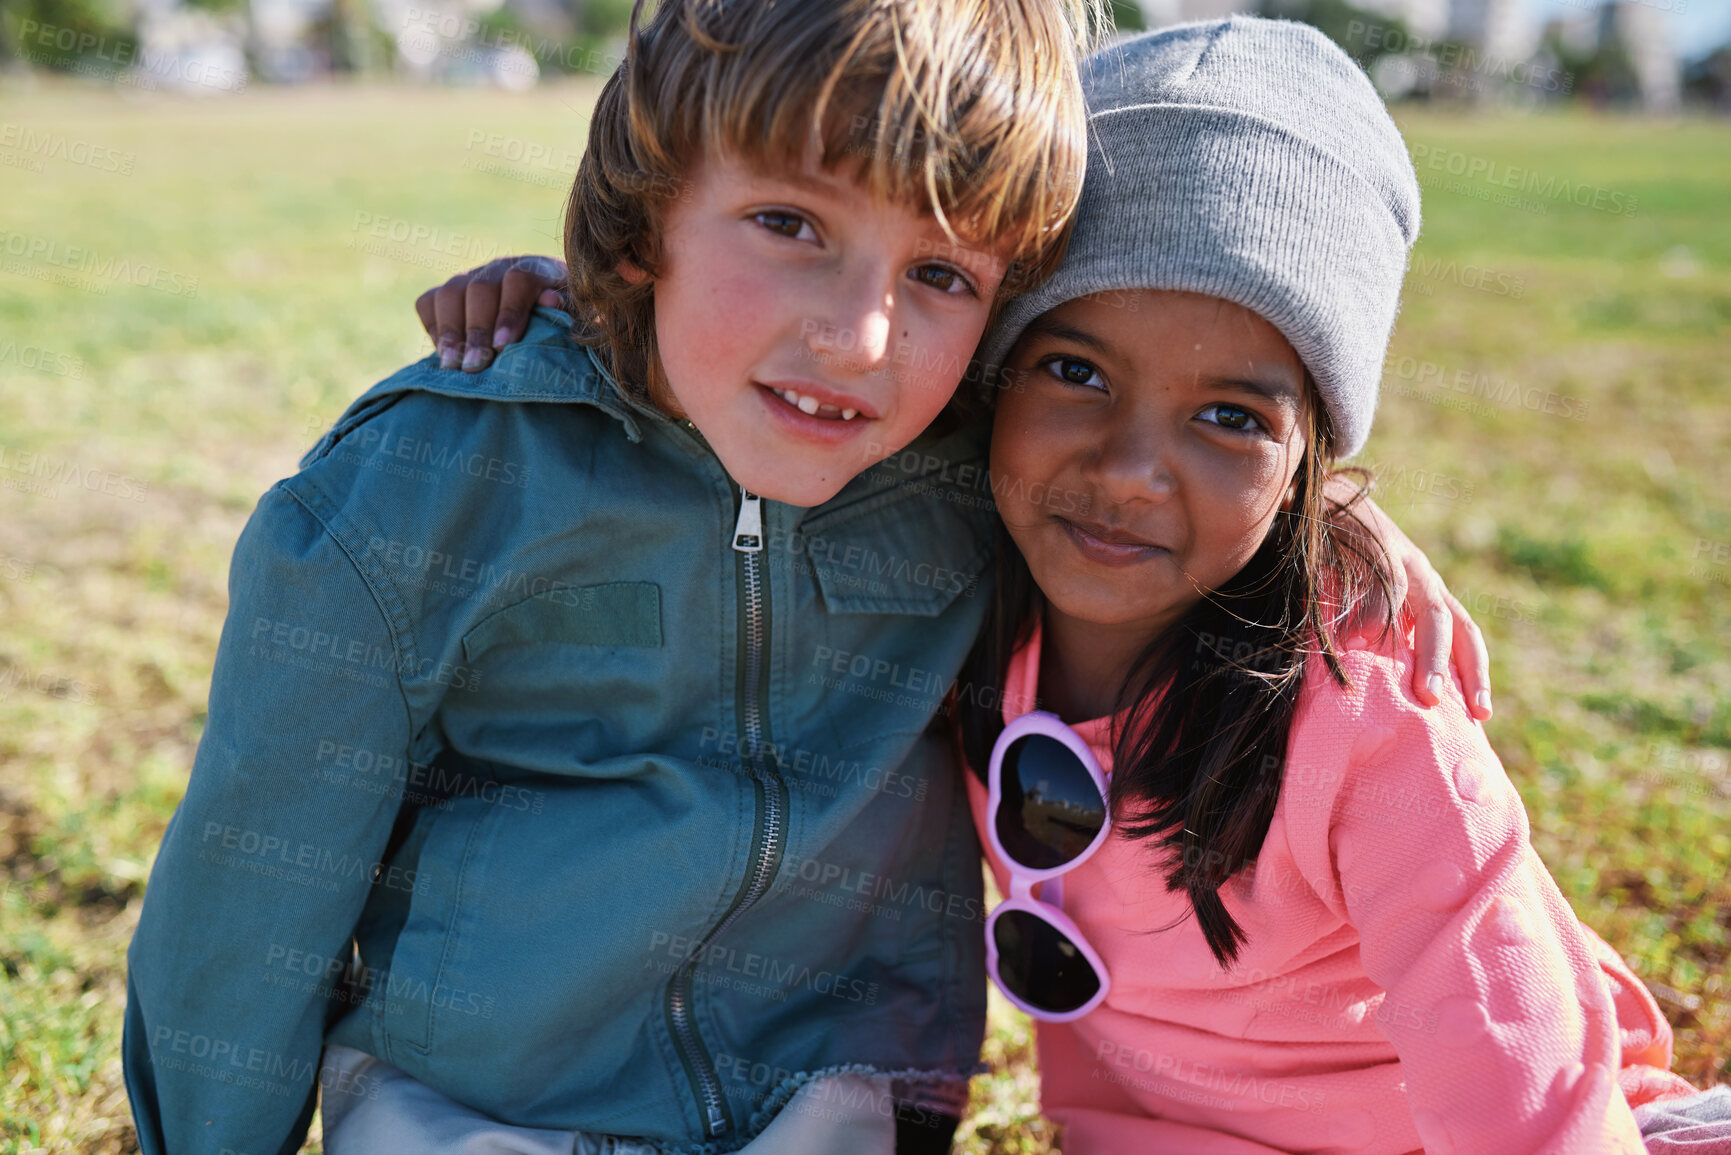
[1207,709]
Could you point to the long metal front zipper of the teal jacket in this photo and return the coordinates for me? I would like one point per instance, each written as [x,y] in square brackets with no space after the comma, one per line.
[771,816]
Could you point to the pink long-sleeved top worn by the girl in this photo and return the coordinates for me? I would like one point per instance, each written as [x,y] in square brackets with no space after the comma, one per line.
[1413,979]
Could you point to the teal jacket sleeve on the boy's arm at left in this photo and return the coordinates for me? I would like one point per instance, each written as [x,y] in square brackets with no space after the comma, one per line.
[266,867]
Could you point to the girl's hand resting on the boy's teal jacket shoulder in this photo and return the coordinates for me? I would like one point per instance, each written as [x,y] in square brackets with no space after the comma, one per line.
[482,311]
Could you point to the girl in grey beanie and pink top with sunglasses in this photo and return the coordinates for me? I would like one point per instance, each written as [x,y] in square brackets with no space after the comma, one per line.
[1261,896]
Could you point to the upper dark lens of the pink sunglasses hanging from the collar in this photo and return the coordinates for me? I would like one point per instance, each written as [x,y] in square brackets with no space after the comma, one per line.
[1052,808]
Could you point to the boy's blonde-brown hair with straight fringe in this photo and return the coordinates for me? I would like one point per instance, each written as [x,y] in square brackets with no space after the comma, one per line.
[970,110]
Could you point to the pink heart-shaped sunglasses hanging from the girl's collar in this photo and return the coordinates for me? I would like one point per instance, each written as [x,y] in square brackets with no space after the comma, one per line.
[1048,806]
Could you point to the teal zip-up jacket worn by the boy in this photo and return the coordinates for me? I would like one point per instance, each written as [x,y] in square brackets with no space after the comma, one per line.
[551,770]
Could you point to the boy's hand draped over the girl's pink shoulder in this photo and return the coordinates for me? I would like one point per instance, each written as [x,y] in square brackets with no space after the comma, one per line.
[1441,626]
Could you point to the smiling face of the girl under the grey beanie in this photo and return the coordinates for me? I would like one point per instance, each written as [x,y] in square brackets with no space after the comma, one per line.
[1147,448]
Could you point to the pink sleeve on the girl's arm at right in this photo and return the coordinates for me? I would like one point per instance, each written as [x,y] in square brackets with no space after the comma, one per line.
[1493,997]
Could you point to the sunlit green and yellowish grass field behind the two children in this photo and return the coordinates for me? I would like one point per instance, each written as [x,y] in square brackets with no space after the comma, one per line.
[1555,434]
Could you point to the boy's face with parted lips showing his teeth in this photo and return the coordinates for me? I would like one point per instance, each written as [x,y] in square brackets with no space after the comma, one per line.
[806,328]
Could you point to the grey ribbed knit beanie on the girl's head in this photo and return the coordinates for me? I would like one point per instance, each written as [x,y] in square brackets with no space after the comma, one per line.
[1247,160]
